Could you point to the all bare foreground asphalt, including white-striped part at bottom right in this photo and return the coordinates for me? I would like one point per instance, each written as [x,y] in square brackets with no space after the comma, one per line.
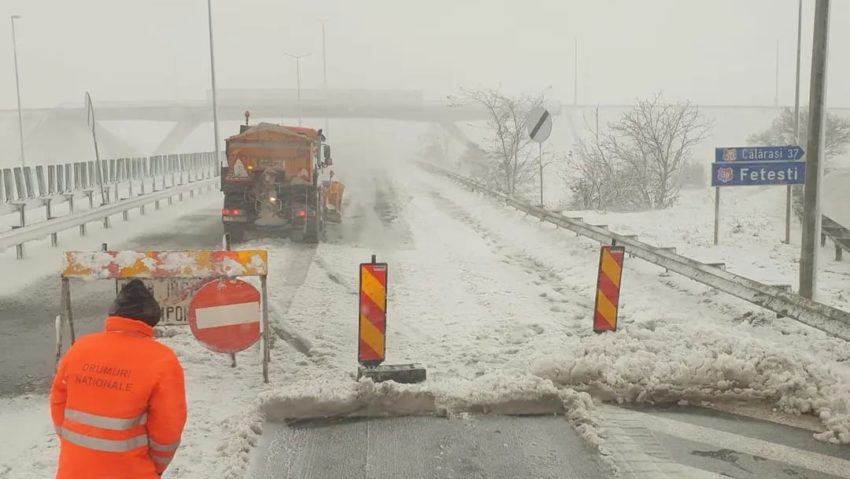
[664,443]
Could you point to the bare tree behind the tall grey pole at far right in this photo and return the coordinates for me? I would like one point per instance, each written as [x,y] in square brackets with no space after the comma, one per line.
[781,132]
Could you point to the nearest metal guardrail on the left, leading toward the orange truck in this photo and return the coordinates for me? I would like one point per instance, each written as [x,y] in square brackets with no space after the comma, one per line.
[37,231]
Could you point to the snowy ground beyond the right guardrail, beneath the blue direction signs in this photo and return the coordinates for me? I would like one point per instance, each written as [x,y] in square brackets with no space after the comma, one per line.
[752,231]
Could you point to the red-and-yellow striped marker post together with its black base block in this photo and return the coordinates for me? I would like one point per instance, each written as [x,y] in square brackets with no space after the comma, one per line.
[372,330]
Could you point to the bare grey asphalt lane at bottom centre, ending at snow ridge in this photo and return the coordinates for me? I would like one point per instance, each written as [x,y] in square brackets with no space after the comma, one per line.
[496,447]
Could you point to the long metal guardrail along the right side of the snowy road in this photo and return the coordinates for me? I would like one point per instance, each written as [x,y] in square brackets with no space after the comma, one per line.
[833,321]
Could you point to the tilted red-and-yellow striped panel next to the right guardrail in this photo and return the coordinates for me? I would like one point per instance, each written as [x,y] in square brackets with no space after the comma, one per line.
[608,288]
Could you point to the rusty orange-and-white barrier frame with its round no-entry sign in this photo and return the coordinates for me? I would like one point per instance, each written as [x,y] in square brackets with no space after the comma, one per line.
[226,314]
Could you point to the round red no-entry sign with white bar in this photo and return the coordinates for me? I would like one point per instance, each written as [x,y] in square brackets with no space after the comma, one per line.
[224,315]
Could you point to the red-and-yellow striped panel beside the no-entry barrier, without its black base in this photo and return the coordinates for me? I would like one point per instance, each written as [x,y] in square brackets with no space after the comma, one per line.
[373,314]
